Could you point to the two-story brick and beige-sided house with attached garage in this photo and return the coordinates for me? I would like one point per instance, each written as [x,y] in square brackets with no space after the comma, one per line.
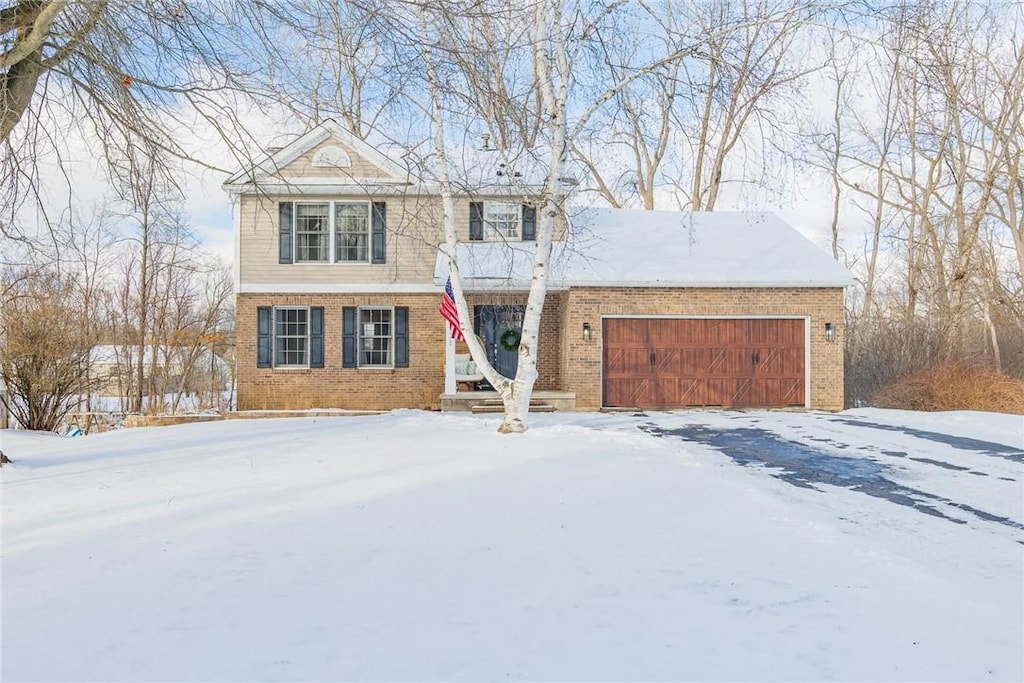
[338,281]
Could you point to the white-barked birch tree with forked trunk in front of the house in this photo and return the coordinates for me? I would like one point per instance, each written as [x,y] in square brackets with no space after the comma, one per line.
[554,32]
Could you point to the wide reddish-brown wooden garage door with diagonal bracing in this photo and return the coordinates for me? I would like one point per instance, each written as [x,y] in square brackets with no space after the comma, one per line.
[674,363]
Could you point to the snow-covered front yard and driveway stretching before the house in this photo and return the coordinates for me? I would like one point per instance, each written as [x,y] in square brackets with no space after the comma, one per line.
[417,546]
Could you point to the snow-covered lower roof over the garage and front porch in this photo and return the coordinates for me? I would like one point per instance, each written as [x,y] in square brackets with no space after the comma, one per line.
[633,248]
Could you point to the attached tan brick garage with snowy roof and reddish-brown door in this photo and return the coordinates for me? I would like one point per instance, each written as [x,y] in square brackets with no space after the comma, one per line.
[663,310]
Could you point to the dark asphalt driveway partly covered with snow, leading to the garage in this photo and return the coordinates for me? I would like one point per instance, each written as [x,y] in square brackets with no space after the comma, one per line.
[893,463]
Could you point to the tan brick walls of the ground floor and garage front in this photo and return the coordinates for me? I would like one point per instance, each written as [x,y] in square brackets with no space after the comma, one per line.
[567,363]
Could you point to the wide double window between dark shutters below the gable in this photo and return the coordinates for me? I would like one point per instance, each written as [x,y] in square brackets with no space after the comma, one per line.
[332,233]
